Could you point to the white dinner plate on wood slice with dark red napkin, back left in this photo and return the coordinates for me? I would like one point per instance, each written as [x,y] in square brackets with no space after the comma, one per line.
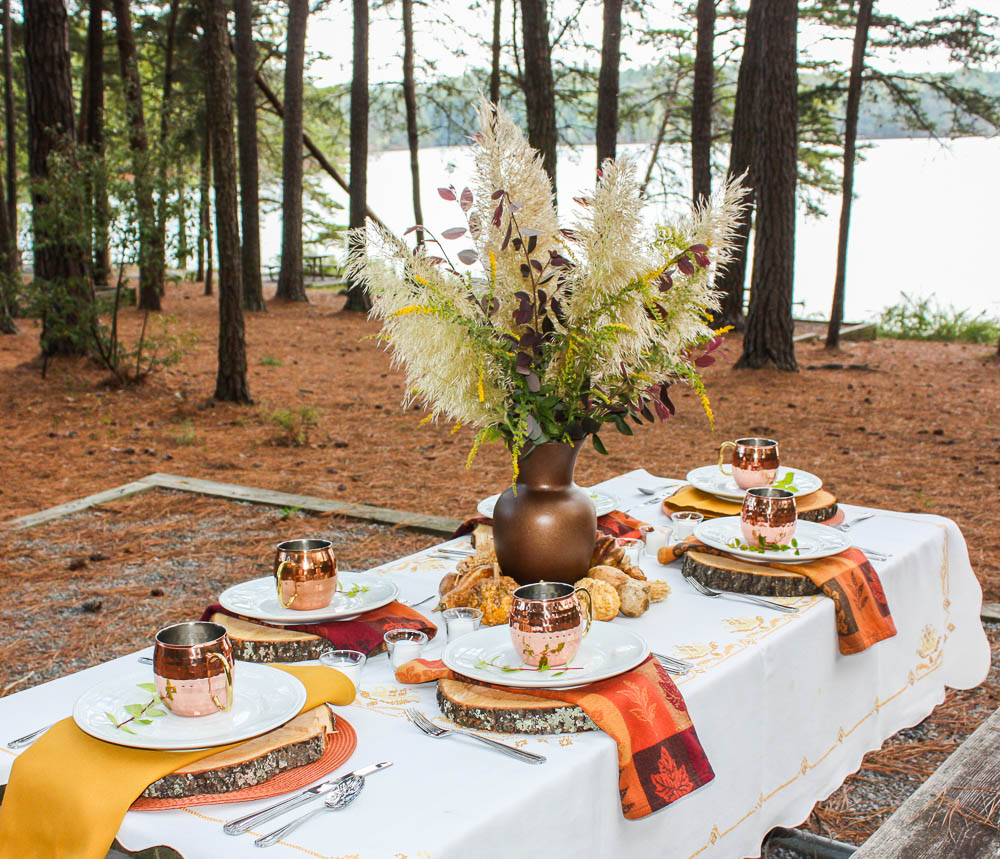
[258,600]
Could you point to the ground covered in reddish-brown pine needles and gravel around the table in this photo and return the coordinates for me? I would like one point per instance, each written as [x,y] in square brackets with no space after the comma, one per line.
[908,426]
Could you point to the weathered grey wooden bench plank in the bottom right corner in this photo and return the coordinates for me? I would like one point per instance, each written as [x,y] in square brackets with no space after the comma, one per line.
[956,812]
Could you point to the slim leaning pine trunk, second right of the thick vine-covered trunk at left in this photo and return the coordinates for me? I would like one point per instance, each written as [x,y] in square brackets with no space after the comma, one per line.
[150,253]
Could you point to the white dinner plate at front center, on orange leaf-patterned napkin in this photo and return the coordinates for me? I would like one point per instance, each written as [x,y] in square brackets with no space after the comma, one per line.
[609,649]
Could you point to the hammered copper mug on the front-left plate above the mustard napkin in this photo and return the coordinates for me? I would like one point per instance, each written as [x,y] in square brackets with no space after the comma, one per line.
[193,668]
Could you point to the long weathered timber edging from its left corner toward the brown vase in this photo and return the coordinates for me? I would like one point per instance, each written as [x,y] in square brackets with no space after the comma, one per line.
[416,521]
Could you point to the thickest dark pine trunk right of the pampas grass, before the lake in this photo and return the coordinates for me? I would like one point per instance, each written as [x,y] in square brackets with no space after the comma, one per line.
[770,330]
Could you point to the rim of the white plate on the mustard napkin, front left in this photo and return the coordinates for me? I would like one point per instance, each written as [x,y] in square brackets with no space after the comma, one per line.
[136,741]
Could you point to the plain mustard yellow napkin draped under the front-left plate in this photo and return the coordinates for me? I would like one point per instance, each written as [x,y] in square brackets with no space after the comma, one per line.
[69,792]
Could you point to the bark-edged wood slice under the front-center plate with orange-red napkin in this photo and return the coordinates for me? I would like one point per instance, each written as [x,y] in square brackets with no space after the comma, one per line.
[485,709]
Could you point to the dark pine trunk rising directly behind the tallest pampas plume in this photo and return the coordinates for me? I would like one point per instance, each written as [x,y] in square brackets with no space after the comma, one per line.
[539,90]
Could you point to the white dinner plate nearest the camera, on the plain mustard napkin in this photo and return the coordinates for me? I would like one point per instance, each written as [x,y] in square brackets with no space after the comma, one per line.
[263,698]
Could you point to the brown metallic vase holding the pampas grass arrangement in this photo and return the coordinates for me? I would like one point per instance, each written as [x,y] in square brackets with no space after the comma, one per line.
[546,532]
